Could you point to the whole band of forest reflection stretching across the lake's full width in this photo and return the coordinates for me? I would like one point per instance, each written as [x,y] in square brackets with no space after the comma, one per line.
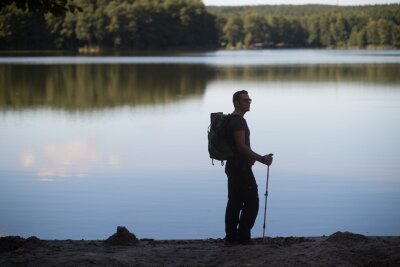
[85,87]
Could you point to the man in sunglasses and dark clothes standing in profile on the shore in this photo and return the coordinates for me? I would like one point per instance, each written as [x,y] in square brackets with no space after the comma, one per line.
[242,206]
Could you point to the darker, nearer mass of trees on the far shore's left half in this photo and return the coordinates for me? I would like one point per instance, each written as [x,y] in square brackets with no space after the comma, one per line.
[120,24]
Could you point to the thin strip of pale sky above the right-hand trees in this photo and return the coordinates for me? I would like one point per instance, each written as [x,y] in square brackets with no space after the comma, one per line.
[297,2]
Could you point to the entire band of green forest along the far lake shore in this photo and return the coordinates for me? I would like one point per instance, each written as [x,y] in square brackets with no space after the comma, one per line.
[97,25]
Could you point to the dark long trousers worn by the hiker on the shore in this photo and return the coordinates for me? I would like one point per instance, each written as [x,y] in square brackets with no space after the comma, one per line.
[242,207]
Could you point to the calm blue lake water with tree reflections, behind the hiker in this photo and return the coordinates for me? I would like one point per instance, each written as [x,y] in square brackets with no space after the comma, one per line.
[90,143]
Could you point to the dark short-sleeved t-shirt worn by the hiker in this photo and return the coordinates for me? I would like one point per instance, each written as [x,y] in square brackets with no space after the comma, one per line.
[241,162]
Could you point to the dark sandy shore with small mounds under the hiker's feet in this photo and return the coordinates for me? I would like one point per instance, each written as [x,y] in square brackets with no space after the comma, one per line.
[124,249]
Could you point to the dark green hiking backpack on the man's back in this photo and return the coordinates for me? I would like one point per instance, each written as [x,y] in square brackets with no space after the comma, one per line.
[219,145]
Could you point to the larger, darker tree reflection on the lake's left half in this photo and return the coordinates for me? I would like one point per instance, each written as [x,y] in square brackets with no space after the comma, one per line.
[84,87]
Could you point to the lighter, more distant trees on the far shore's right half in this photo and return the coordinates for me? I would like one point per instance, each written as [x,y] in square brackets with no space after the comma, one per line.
[317,26]
